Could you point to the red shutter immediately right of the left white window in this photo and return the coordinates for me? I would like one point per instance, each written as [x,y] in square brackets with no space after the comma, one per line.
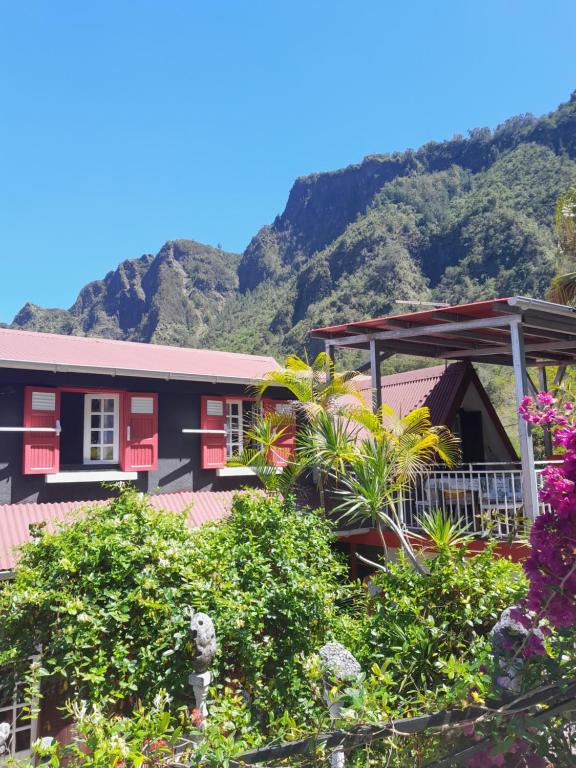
[139,444]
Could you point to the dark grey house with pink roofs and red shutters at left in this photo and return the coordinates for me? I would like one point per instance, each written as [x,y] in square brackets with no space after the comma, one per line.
[76,412]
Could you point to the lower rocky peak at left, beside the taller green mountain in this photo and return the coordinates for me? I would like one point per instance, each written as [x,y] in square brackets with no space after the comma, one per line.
[170,298]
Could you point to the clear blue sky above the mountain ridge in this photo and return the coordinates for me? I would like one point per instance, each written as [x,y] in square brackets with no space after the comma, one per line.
[126,123]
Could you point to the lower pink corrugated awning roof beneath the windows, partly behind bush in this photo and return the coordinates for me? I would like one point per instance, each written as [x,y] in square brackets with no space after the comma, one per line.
[16,519]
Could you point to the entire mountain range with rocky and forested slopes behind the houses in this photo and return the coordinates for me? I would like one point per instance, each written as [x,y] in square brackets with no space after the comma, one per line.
[453,221]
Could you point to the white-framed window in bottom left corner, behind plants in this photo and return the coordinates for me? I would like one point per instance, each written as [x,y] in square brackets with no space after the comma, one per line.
[15,715]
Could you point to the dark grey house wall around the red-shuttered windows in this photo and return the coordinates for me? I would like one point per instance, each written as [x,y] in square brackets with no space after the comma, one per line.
[178,454]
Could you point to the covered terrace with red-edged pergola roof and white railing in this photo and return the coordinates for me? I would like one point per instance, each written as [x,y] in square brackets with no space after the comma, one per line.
[498,498]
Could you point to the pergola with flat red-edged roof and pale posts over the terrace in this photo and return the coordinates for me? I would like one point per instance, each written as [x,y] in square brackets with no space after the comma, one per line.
[520,332]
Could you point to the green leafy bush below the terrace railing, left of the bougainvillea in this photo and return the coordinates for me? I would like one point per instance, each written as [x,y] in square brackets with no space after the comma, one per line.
[426,631]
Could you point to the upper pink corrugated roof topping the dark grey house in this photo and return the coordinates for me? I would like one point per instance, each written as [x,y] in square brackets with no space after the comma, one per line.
[83,354]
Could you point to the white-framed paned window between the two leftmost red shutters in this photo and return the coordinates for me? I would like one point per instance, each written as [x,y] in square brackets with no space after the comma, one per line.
[101,429]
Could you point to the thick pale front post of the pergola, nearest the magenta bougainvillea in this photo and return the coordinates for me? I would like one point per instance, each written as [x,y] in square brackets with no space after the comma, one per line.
[529,487]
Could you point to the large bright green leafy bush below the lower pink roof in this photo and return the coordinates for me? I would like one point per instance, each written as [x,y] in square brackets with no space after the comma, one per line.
[106,596]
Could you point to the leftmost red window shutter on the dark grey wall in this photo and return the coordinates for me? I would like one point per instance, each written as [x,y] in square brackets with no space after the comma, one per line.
[41,449]
